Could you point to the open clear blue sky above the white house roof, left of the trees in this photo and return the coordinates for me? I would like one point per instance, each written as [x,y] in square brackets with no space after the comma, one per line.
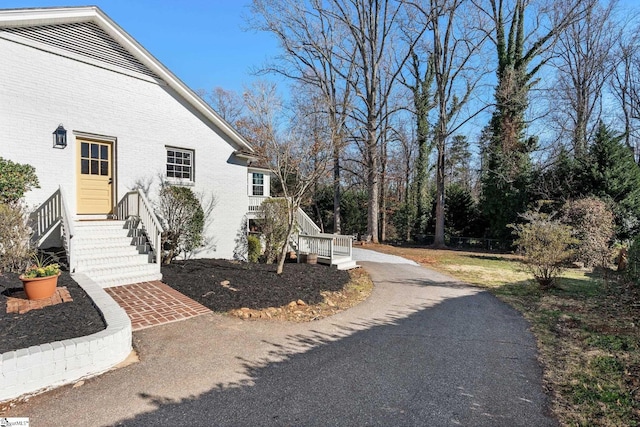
[201,41]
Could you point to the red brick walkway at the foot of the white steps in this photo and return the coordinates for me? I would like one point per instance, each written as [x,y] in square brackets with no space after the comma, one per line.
[154,303]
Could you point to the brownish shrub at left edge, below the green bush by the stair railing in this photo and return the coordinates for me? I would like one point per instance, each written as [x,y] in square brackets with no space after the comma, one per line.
[15,248]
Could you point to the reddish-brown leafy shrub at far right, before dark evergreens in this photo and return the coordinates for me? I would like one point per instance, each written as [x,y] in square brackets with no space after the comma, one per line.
[593,222]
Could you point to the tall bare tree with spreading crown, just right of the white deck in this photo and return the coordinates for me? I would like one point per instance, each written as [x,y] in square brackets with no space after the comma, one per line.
[350,49]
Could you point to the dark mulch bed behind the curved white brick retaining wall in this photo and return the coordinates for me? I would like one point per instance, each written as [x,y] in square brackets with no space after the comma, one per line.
[58,322]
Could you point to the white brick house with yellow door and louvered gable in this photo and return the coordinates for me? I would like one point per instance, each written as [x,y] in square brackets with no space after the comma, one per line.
[127,119]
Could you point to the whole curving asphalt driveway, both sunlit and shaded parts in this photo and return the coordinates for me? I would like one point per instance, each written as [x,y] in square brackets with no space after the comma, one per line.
[423,350]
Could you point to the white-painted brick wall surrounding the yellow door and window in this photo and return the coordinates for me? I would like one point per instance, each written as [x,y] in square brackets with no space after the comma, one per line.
[39,90]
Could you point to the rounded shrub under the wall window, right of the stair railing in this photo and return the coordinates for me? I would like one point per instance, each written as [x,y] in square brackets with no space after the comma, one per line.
[183,218]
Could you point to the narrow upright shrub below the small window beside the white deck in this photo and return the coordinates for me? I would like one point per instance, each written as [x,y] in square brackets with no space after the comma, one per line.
[273,222]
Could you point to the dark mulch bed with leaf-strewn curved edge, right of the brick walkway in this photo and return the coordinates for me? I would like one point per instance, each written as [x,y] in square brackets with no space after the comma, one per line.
[303,292]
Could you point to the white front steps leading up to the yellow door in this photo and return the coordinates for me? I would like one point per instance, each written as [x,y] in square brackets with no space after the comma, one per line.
[113,253]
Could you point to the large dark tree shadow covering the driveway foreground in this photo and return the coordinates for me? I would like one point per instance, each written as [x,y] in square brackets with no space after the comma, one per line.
[463,361]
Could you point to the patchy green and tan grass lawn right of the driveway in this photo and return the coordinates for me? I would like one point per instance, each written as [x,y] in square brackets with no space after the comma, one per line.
[588,331]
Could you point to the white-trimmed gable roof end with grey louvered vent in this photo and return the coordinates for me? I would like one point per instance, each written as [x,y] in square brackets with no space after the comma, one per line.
[87,33]
